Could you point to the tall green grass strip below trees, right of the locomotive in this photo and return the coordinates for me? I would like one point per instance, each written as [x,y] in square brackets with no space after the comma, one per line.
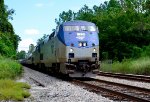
[139,66]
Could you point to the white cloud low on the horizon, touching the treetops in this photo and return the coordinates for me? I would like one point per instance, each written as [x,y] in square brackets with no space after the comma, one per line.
[24,44]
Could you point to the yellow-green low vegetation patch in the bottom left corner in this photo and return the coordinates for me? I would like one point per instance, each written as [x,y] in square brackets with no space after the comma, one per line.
[10,90]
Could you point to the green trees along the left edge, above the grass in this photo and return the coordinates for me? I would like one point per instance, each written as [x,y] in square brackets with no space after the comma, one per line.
[8,39]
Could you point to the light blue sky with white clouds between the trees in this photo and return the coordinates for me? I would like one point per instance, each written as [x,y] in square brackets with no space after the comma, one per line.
[34,18]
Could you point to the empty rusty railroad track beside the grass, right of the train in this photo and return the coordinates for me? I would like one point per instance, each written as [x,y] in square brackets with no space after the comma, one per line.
[140,78]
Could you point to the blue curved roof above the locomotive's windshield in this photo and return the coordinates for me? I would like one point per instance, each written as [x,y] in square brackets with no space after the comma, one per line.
[78,22]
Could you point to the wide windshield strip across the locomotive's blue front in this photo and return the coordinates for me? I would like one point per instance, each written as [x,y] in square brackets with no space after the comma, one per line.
[79,28]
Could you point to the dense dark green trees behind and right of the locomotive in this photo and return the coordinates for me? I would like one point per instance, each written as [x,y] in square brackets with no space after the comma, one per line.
[124,27]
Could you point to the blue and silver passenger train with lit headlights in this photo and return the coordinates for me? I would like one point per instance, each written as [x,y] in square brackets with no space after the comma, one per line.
[72,49]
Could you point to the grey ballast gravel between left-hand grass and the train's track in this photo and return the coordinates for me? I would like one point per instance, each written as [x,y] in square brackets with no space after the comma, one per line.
[56,90]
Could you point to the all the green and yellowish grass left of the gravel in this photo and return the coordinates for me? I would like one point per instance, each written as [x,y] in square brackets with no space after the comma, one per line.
[9,89]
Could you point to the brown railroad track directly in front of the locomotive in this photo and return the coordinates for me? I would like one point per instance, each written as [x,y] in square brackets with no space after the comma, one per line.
[116,91]
